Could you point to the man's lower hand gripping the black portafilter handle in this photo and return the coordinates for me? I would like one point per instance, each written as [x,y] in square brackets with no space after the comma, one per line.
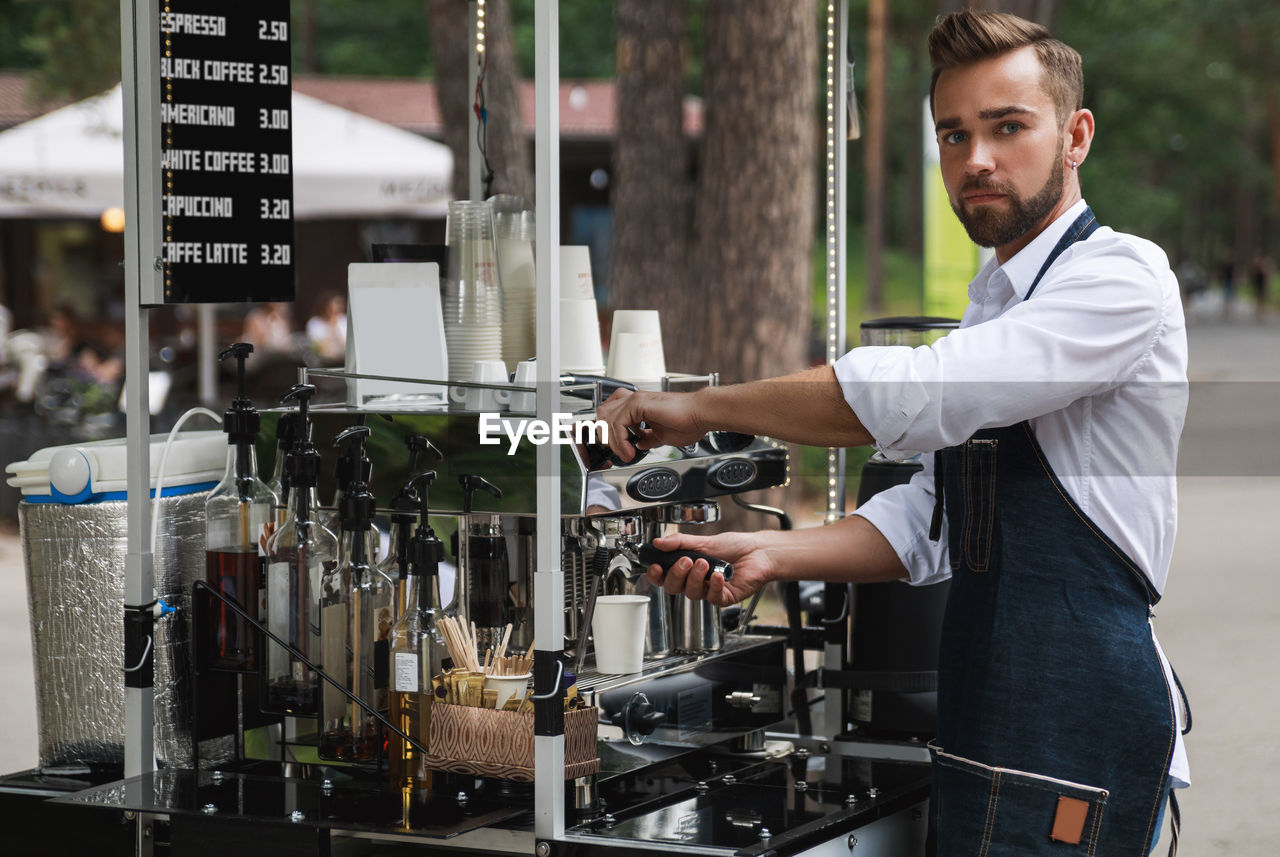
[753,567]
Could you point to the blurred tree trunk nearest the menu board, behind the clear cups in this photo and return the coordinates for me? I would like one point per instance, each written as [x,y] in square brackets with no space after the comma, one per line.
[505,139]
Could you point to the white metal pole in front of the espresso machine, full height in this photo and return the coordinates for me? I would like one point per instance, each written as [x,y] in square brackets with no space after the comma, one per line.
[550,578]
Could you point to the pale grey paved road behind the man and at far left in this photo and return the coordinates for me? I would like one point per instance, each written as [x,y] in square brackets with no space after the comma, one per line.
[1219,622]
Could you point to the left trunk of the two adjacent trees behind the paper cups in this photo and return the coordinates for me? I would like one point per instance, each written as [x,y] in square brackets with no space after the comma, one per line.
[651,190]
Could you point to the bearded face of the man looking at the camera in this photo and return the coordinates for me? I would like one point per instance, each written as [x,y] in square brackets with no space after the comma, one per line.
[1002,148]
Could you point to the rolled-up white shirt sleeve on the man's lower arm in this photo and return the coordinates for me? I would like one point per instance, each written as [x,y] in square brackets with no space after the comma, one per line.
[903,515]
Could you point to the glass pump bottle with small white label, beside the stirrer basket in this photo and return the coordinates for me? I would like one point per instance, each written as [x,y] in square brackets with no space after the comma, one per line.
[418,652]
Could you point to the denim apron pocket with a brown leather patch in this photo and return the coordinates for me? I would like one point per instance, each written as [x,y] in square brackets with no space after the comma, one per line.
[986,812]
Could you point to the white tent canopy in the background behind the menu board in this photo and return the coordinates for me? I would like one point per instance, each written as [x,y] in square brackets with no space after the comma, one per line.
[71,164]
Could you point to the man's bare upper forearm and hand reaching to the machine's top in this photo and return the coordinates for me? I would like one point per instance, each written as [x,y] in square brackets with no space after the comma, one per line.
[806,409]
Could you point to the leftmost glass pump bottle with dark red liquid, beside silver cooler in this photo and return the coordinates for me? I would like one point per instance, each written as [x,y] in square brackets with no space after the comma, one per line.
[237,515]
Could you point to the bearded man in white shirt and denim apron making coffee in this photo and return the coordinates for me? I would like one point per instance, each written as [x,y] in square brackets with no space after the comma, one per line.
[1054,413]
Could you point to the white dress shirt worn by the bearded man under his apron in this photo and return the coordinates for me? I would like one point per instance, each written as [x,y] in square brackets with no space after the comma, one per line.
[1096,360]
